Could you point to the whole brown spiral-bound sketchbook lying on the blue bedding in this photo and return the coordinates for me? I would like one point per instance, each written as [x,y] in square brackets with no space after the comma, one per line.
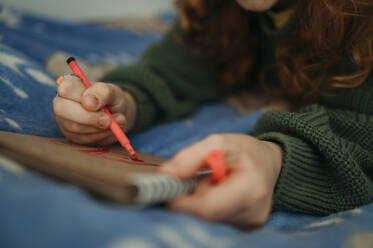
[108,171]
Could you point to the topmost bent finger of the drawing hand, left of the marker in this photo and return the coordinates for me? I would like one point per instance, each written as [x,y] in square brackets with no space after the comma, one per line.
[71,88]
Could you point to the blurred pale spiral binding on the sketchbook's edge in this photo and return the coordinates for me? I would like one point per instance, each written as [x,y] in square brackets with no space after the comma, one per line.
[156,188]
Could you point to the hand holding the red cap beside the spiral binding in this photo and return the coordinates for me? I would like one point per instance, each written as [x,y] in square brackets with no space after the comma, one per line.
[244,197]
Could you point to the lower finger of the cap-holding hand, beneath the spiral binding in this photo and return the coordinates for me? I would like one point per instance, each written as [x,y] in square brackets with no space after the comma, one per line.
[219,201]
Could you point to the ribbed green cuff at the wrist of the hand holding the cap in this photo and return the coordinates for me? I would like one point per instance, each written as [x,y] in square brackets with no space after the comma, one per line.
[303,185]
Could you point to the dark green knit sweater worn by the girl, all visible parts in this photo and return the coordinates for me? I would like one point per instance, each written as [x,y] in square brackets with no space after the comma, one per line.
[328,146]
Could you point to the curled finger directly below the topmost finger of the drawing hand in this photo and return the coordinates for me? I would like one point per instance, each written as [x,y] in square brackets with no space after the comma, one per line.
[73,111]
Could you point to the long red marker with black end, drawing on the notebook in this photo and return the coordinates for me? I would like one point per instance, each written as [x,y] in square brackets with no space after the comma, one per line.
[115,128]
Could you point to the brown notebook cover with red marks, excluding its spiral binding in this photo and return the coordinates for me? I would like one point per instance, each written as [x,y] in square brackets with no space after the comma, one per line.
[103,170]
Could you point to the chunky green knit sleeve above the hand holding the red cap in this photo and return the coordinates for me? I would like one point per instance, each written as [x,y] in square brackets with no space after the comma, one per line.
[328,161]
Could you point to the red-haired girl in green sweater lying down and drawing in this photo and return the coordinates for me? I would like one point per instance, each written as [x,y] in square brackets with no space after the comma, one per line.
[317,158]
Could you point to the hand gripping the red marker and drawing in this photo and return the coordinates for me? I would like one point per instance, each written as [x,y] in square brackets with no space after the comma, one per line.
[79,111]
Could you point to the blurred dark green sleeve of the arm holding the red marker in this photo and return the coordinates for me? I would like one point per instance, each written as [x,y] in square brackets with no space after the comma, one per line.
[169,80]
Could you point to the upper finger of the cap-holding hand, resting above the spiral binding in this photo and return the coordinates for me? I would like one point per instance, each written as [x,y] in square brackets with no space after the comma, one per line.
[191,159]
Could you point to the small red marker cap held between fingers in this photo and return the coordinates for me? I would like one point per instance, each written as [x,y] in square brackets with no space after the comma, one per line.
[215,159]
